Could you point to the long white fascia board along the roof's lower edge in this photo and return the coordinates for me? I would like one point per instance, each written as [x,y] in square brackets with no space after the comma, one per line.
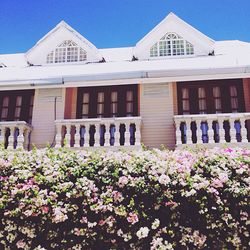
[140,77]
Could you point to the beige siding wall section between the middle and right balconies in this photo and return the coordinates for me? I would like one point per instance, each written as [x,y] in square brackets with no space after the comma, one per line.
[157,111]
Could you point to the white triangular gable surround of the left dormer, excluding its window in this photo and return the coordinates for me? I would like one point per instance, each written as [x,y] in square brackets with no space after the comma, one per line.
[62,32]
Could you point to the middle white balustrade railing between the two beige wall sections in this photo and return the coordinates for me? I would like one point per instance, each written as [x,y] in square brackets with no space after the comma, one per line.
[107,132]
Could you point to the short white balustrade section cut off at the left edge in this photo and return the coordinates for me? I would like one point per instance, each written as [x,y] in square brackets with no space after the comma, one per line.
[15,134]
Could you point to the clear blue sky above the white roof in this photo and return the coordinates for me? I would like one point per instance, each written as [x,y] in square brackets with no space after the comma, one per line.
[117,23]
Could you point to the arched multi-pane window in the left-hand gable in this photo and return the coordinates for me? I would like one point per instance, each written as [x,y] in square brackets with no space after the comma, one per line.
[68,51]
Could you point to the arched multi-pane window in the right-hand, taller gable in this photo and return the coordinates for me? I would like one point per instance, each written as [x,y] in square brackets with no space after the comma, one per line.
[171,45]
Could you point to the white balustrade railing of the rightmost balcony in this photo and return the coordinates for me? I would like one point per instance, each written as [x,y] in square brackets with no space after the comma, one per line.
[212,128]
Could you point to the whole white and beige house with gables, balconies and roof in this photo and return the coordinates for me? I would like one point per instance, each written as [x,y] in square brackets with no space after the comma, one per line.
[175,87]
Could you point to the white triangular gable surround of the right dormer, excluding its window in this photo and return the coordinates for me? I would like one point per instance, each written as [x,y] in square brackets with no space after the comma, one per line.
[203,45]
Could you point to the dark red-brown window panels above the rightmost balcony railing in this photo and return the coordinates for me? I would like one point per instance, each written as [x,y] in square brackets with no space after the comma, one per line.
[210,97]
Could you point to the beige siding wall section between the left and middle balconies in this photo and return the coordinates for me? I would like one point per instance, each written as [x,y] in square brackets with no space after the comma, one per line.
[44,115]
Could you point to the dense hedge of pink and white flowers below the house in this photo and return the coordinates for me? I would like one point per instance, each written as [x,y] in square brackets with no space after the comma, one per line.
[58,199]
